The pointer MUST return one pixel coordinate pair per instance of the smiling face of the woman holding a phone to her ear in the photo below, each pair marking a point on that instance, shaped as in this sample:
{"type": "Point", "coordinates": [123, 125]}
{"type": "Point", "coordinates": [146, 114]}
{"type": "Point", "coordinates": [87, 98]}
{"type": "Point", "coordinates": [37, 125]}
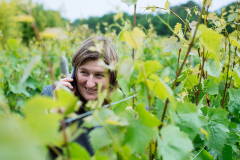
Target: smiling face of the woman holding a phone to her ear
{"type": "Point", "coordinates": [89, 75]}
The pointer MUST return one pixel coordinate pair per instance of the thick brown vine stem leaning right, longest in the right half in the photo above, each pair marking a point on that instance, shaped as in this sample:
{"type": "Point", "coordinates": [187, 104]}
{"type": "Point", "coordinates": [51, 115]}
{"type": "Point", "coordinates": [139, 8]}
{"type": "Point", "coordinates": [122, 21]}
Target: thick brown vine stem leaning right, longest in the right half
{"type": "Point", "coordinates": [185, 58]}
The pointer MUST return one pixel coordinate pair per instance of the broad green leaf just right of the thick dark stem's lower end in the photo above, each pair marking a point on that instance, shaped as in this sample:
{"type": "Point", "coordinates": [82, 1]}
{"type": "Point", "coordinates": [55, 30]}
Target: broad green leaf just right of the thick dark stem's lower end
{"type": "Point", "coordinates": [188, 118]}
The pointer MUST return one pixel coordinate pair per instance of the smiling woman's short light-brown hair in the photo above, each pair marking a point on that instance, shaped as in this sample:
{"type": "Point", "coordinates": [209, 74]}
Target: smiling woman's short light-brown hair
{"type": "Point", "coordinates": [83, 53]}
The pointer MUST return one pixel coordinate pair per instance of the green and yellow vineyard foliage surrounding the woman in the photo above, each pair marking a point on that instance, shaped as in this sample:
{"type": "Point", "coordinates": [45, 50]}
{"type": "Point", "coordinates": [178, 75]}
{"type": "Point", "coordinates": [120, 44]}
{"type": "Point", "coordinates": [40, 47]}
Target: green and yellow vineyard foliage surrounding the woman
{"type": "Point", "coordinates": [186, 88]}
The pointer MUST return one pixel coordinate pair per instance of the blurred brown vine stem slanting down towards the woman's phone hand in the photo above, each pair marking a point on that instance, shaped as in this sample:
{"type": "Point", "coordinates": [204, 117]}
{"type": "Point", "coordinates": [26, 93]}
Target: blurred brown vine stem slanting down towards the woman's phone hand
{"type": "Point", "coordinates": [36, 31]}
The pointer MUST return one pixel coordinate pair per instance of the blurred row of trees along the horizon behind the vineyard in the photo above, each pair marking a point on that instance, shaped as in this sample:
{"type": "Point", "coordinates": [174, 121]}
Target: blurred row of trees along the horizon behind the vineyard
{"type": "Point", "coordinates": [11, 28]}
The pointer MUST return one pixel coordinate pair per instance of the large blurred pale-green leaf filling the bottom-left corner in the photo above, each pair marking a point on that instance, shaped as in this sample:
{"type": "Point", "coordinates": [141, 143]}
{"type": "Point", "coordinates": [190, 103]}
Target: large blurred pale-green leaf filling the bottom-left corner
{"type": "Point", "coordinates": [17, 142]}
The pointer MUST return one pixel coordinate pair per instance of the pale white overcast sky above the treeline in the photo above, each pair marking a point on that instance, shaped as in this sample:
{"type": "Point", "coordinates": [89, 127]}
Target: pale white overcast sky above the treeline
{"type": "Point", "coordinates": [74, 9]}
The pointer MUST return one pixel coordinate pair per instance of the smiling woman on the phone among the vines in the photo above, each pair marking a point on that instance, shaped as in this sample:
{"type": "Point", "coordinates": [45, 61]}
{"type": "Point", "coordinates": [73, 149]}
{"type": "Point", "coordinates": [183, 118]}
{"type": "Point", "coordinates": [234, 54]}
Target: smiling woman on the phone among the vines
{"type": "Point", "coordinates": [88, 75]}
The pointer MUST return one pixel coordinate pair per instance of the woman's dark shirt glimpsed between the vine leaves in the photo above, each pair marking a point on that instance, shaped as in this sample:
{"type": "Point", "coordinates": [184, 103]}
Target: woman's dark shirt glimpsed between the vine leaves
{"type": "Point", "coordinates": [83, 139]}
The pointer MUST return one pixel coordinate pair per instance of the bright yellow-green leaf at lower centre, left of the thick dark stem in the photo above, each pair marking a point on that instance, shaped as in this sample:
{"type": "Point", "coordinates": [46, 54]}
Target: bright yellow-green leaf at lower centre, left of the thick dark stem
{"type": "Point", "coordinates": [147, 118]}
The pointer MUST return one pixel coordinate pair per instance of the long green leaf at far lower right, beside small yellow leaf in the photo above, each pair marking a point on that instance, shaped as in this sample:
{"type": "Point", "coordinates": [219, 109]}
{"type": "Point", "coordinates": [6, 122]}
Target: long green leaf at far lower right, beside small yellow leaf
{"type": "Point", "coordinates": [218, 128]}
